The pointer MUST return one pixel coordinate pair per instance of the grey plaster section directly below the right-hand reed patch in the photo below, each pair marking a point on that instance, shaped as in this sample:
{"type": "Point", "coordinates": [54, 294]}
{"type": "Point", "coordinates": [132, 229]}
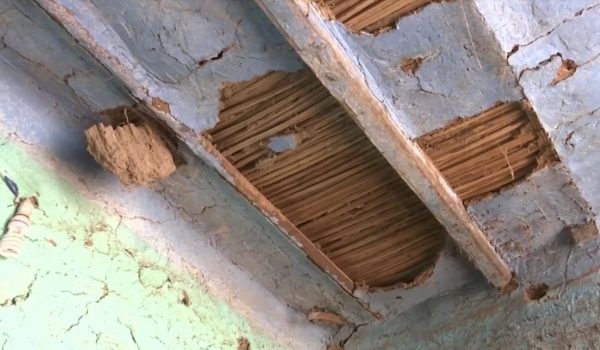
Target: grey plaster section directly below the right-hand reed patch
{"type": "Point", "coordinates": [529, 226]}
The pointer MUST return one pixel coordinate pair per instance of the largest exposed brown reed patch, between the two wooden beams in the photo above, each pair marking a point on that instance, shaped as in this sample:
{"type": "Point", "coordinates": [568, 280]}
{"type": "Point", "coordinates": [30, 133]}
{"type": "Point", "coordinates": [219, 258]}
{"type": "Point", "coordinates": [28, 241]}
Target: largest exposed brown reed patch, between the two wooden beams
{"type": "Point", "coordinates": [333, 184]}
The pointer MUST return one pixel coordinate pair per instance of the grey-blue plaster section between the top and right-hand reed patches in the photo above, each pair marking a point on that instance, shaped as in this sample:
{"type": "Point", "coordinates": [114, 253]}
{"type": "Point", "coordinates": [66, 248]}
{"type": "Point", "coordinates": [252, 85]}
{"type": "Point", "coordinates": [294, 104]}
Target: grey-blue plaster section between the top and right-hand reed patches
{"type": "Point", "coordinates": [457, 77]}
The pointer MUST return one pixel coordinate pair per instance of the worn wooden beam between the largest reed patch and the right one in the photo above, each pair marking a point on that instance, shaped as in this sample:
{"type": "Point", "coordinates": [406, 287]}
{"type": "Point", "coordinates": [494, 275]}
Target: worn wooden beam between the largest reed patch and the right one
{"type": "Point", "coordinates": [326, 53]}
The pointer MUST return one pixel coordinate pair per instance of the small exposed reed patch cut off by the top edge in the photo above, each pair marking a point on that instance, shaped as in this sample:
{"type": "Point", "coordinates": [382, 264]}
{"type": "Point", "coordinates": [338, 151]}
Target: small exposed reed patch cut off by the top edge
{"type": "Point", "coordinates": [371, 16]}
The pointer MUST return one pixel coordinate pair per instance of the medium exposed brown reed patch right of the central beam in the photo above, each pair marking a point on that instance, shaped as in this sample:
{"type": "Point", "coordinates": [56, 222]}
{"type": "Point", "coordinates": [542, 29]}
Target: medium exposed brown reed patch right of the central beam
{"type": "Point", "coordinates": [482, 154]}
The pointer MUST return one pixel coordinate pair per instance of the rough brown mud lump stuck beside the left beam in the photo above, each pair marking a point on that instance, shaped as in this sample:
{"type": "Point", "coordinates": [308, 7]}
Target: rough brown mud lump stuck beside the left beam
{"type": "Point", "coordinates": [135, 153]}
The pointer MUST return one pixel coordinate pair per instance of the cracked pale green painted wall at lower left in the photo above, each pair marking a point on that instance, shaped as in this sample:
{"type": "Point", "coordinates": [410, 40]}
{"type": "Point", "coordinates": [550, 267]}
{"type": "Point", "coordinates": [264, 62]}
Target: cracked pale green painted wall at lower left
{"type": "Point", "coordinates": [84, 281]}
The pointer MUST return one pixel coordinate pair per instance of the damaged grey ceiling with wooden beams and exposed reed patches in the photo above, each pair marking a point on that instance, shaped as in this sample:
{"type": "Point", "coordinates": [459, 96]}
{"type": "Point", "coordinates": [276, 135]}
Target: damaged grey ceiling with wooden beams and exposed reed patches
{"type": "Point", "coordinates": [379, 149]}
